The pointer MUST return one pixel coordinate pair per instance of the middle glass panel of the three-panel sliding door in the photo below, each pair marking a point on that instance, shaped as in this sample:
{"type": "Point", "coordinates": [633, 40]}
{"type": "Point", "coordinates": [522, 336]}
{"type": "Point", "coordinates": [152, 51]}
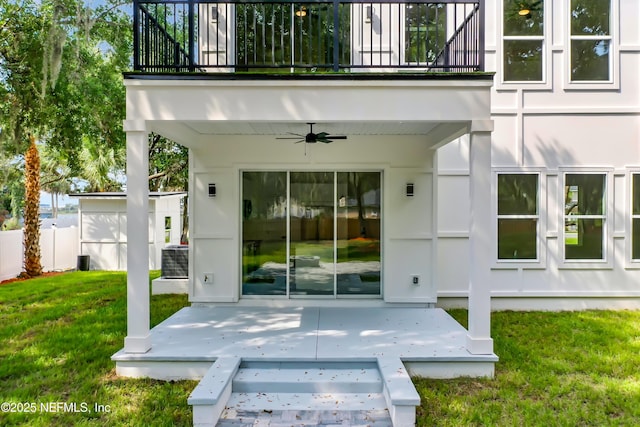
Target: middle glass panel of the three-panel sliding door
{"type": "Point", "coordinates": [312, 245]}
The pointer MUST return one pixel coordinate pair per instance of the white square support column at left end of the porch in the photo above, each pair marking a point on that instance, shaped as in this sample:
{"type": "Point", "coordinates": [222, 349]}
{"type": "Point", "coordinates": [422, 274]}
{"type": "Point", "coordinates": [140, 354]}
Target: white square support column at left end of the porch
{"type": "Point", "coordinates": [138, 339]}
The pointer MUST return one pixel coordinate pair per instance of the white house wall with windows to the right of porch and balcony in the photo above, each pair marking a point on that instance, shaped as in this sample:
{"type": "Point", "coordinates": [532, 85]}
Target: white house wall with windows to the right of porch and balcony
{"type": "Point", "coordinates": [564, 160]}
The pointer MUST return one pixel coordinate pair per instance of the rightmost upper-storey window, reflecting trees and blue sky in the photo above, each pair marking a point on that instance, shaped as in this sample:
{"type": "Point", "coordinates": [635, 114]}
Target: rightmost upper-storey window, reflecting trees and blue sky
{"type": "Point", "coordinates": [590, 40]}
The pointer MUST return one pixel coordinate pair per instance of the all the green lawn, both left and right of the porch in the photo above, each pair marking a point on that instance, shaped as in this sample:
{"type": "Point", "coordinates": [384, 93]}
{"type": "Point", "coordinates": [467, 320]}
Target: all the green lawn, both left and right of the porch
{"type": "Point", "coordinates": [555, 369]}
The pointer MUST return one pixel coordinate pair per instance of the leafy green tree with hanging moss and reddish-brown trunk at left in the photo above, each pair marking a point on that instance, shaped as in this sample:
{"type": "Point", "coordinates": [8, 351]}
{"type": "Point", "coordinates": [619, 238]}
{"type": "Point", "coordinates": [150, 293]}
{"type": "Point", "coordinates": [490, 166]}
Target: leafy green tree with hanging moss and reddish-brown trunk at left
{"type": "Point", "coordinates": [60, 81]}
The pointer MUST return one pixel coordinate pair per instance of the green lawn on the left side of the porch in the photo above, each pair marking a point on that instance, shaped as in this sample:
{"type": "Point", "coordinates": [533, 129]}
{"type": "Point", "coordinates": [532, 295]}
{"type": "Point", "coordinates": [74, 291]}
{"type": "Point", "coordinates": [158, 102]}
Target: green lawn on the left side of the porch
{"type": "Point", "coordinates": [58, 334]}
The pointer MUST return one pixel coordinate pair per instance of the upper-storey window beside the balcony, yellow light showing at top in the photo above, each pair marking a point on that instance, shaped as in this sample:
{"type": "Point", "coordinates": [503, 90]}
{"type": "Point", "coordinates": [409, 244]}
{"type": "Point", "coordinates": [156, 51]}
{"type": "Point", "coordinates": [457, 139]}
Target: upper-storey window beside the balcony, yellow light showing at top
{"type": "Point", "coordinates": [523, 41]}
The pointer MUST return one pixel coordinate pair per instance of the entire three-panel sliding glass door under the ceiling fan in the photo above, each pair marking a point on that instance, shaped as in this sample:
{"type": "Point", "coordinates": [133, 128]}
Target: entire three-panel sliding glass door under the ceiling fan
{"type": "Point", "coordinates": [311, 234]}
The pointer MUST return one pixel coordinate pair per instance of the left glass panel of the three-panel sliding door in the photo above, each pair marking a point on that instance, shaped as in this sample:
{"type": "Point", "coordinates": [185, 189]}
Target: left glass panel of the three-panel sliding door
{"type": "Point", "coordinates": [264, 233]}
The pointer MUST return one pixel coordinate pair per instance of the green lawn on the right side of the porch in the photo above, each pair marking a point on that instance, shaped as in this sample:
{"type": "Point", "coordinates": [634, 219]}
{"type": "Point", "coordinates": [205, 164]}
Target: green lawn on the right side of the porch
{"type": "Point", "coordinates": [555, 369]}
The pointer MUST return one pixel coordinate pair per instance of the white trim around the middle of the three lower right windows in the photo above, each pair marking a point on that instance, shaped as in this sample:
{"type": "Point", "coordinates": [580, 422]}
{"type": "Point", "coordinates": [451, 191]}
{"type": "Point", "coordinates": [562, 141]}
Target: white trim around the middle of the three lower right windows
{"type": "Point", "coordinates": [608, 215]}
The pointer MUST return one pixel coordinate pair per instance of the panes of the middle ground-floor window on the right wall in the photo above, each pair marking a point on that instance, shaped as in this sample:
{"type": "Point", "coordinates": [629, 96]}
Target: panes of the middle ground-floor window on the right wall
{"type": "Point", "coordinates": [584, 216]}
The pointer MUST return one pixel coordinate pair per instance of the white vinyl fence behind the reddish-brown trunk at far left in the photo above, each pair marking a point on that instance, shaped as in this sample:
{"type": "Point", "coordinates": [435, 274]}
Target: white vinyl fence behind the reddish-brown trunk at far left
{"type": "Point", "coordinates": [58, 246]}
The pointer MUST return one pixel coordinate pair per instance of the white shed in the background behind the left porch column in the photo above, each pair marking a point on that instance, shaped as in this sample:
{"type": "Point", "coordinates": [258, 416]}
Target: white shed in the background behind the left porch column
{"type": "Point", "coordinates": [102, 221]}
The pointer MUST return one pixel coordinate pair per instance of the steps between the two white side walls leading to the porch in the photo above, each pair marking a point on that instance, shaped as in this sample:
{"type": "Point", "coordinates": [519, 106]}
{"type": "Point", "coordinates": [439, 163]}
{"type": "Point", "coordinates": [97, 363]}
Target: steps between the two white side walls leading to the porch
{"type": "Point", "coordinates": [306, 394]}
